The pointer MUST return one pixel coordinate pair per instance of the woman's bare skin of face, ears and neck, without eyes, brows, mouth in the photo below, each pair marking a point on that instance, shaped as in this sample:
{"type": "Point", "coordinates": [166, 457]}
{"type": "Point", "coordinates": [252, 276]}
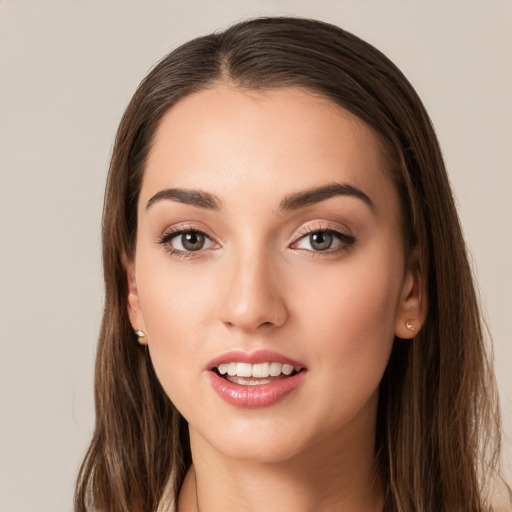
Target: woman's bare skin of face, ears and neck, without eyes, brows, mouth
{"type": "Point", "coordinates": [258, 283]}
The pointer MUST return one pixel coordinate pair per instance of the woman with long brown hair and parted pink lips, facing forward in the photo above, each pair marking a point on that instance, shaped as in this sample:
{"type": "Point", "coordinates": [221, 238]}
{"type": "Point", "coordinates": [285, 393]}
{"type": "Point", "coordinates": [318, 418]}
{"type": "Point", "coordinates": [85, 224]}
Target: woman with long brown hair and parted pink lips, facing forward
{"type": "Point", "coordinates": [290, 318]}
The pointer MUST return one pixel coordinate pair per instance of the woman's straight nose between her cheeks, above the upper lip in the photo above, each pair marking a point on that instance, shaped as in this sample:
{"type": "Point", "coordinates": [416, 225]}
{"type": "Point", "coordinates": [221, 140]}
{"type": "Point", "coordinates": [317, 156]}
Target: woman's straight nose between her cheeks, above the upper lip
{"type": "Point", "coordinates": [253, 294]}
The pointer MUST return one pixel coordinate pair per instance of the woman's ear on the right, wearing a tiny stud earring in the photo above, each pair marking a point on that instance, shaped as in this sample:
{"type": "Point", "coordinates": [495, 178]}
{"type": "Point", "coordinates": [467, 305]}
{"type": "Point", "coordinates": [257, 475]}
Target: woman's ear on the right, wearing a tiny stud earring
{"type": "Point", "coordinates": [412, 308]}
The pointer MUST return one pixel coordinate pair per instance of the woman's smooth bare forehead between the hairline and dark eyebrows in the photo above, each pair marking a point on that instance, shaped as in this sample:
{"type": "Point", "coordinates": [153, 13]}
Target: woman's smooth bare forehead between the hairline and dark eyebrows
{"type": "Point", "coordinates": [231, 141]}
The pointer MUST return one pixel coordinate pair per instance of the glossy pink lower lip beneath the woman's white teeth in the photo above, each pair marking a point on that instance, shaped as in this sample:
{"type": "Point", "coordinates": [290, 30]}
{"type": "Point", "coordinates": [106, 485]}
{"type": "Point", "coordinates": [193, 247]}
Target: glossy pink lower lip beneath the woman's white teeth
{"type": "Point", "coordinates": [252, 397]}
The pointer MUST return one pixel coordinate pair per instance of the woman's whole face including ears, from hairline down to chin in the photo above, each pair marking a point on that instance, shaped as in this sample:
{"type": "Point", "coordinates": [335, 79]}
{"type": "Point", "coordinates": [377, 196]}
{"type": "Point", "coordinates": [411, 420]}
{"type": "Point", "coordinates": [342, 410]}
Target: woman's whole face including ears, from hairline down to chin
{"type": "Point", "coordinates": [269, 274]}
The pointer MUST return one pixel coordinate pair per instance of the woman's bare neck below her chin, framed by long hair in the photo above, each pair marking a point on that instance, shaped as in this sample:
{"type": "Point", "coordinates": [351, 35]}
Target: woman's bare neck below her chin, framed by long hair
{"type": "Point", "coordinates": [314, 480]}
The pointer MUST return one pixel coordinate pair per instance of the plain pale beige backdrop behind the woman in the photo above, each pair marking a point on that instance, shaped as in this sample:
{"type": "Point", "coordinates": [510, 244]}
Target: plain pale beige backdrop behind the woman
{"type": "Point", "coordinates": [68, 69]}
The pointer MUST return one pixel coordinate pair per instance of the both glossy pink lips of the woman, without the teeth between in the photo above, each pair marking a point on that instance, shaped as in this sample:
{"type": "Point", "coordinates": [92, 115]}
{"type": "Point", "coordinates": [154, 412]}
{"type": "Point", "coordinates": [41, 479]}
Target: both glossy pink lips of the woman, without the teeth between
{"type": "Point", "coordinates": [262, 395]}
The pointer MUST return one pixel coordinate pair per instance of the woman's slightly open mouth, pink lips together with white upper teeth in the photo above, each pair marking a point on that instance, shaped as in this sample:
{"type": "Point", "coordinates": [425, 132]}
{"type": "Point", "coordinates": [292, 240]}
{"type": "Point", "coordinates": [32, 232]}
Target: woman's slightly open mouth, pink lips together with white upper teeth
{"type": "Point", "coordinates": [258, 379]}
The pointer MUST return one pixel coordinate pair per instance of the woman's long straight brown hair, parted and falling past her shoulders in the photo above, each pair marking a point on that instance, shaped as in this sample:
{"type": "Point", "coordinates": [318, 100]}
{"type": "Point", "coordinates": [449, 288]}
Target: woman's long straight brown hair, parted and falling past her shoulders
{"type": "Point", "coordinates": [438, 422]}
